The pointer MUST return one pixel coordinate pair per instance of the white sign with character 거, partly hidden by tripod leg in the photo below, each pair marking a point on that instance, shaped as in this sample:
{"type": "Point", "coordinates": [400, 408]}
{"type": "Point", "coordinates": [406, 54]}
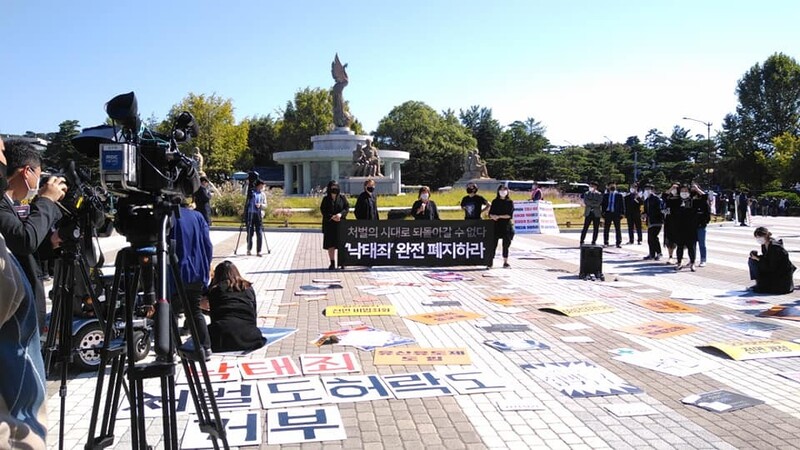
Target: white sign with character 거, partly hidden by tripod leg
{"type": "Point", "coordinates": [242, 428]}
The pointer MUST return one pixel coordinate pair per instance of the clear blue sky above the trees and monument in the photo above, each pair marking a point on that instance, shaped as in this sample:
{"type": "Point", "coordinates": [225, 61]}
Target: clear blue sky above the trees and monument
{"type": "Point", "coordinates": [585, 69]}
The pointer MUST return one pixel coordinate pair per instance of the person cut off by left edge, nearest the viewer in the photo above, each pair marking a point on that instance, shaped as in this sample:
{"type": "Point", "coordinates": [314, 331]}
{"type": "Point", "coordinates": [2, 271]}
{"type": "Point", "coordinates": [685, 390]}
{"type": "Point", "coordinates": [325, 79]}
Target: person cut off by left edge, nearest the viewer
{"type": "Point", "coordinates": [23, 416]}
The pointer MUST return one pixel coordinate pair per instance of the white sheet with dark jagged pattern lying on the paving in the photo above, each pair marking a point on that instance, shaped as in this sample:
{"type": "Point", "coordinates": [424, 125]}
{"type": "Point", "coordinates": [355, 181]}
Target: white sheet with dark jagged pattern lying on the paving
{"type": "Point", "coordinates": [581, 379]}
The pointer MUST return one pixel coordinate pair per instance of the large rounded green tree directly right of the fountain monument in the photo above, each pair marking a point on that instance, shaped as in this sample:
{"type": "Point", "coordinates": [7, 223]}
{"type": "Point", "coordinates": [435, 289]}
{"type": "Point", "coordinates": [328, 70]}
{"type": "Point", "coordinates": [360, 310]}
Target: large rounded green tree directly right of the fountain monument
{"type": "Point", "coordinates": [437, 143]}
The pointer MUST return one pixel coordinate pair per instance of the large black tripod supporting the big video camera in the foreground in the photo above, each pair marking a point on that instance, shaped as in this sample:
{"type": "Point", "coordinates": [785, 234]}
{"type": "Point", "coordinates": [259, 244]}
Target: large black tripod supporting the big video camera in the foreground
{"type": "Point", "coordinates": [143, 265]}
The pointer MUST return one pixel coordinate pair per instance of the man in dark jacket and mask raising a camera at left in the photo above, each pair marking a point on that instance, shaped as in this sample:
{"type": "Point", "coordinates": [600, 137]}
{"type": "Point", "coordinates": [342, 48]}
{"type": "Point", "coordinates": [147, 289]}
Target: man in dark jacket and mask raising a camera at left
{"type": "Point", "coordinates": [24, 235]}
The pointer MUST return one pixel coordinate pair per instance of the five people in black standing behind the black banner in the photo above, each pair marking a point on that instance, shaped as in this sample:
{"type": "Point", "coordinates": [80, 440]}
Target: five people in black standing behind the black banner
{"type": "Point", "coordinates": [335, 207]}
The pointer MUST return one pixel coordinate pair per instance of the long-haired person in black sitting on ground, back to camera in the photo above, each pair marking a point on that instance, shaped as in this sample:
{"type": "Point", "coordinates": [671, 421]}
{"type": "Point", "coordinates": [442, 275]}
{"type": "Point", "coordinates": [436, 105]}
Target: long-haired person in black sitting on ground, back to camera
{"type": "Point", "coordinates": [232, 307]}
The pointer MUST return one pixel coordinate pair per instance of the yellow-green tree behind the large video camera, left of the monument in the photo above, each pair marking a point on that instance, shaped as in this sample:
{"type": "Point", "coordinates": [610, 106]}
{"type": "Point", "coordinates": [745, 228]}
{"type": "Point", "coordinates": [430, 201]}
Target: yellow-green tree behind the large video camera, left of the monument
{"type": "Point", "coordinates": [222, 142]}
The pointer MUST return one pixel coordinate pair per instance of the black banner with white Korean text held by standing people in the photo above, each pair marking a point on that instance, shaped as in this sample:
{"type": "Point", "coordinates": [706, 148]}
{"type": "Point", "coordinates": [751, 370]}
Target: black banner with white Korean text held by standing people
{"type": "Point", "coordinates": [425, 243]}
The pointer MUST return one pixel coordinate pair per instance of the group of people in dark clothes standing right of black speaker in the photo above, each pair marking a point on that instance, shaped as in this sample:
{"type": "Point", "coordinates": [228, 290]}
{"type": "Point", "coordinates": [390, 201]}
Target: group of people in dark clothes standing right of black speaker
{"type": "Point", "coordinates": [682, 211]}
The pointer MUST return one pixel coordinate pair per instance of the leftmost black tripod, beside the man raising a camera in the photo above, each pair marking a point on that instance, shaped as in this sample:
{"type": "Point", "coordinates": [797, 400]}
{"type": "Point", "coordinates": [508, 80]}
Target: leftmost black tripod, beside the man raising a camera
{"type": "Point", "coordinates": [59, 337]}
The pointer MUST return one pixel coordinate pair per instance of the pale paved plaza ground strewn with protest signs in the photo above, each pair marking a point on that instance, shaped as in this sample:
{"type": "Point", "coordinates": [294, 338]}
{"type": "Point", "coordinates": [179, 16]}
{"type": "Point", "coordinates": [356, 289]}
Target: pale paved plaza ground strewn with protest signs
{"type": "Point", "coordinates": [543, 269]}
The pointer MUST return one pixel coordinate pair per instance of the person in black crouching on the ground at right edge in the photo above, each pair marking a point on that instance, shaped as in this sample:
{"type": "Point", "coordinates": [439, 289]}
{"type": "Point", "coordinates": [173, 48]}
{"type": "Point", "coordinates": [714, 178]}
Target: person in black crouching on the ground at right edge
{"type": "Point", "coordinates": [772, 269]}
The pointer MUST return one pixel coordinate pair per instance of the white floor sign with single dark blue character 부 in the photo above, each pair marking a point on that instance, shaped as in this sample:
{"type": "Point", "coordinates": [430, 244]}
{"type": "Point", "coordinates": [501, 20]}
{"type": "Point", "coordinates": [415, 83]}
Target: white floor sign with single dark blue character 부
{"type": "Point", "coordinates": [297, 425]}
